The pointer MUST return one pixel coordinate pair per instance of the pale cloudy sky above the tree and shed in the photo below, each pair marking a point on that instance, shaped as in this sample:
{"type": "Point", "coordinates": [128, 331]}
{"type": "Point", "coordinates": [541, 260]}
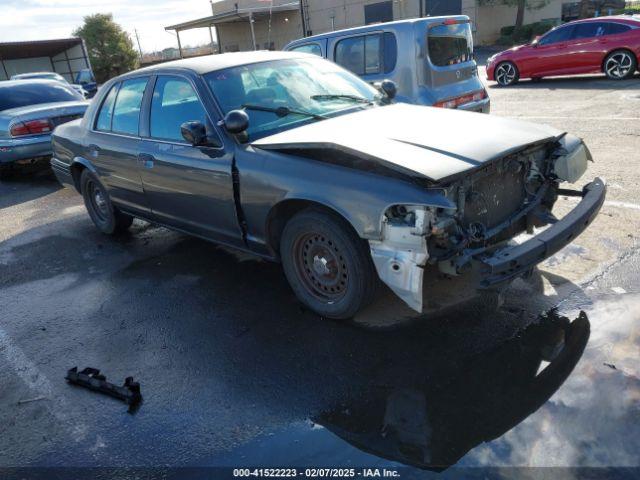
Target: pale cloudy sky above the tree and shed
{"type": "Point", "coordinates": [48, 19]}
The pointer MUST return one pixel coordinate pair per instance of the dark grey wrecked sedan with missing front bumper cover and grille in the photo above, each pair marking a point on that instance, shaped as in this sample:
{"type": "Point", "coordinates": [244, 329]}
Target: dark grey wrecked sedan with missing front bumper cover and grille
{"type": "Point", "coordinates": [295, 159]}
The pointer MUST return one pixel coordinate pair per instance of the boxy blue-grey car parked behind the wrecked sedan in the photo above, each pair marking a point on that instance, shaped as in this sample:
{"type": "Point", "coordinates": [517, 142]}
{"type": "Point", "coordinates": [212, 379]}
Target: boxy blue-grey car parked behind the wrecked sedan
{"type": "Point", "coordinates": [430, 59]}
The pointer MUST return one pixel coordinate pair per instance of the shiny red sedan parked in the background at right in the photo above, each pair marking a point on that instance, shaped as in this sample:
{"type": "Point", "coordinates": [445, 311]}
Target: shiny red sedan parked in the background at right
{"type": "Point", "coordinates": [606, 44]}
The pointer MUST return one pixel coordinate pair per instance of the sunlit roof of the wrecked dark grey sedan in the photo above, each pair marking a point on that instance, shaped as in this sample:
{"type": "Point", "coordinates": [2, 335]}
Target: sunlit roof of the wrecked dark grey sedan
{"type": "Point", "coordinates": [210, 63]}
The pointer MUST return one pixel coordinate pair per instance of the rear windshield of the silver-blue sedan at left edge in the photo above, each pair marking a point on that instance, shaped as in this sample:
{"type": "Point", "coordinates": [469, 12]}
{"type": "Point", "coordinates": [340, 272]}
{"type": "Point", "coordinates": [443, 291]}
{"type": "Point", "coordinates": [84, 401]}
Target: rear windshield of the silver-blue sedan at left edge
{"type": "Point", "coordinates": [24, 94]}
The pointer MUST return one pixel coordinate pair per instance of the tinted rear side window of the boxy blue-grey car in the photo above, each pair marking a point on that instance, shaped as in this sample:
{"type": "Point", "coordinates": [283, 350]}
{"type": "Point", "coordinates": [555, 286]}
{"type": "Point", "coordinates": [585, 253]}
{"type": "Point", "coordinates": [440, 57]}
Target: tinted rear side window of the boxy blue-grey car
{"type": "Point", "coordinates": [361, 55]}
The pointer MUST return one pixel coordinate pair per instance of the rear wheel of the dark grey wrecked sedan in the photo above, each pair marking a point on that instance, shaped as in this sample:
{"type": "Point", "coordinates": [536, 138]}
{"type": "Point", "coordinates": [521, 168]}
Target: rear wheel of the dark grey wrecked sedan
{"type": "Point", "coordinates": [102, 212]}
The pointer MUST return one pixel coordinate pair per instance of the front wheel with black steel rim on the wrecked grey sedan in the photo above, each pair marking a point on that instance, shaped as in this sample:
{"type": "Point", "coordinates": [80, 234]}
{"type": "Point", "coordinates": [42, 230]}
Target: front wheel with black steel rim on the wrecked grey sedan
{"type": "Point", "coordinates": [327, 265]}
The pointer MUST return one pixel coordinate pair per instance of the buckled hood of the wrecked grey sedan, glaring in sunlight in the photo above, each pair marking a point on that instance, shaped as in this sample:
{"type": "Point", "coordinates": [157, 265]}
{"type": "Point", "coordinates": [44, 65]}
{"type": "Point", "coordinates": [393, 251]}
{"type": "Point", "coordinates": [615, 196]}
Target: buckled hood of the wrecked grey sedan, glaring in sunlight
{"type": "Point", "coordinates": [433, 143]}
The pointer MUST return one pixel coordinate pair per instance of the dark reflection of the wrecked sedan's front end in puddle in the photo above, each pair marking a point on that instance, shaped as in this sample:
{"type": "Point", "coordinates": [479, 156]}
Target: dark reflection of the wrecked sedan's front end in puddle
{"type": "Point", "coordinates": [436, 421]}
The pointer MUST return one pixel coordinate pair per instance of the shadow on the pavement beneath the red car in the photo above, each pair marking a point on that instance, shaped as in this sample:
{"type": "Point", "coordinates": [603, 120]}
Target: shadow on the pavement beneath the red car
{"type": "Point", "coordinates": [577, 82]}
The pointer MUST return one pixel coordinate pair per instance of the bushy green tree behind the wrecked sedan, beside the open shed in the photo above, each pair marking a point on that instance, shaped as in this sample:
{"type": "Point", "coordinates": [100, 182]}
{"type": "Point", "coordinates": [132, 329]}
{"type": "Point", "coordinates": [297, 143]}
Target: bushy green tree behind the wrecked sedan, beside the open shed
{"type": "Point", "coordinates": [110, 49]}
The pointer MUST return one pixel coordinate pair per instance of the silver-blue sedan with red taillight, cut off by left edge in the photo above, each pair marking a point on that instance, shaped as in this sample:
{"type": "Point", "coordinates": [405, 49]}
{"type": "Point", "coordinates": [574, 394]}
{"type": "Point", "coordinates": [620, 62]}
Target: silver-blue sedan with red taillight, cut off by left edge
{"type": "Point", "coordinates": [29, 112]}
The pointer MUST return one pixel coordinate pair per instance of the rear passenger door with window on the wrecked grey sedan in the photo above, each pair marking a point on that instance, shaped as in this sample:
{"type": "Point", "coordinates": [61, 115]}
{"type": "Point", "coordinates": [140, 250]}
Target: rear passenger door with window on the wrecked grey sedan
{"type": "Point", "coordinates": [114, 142]}
